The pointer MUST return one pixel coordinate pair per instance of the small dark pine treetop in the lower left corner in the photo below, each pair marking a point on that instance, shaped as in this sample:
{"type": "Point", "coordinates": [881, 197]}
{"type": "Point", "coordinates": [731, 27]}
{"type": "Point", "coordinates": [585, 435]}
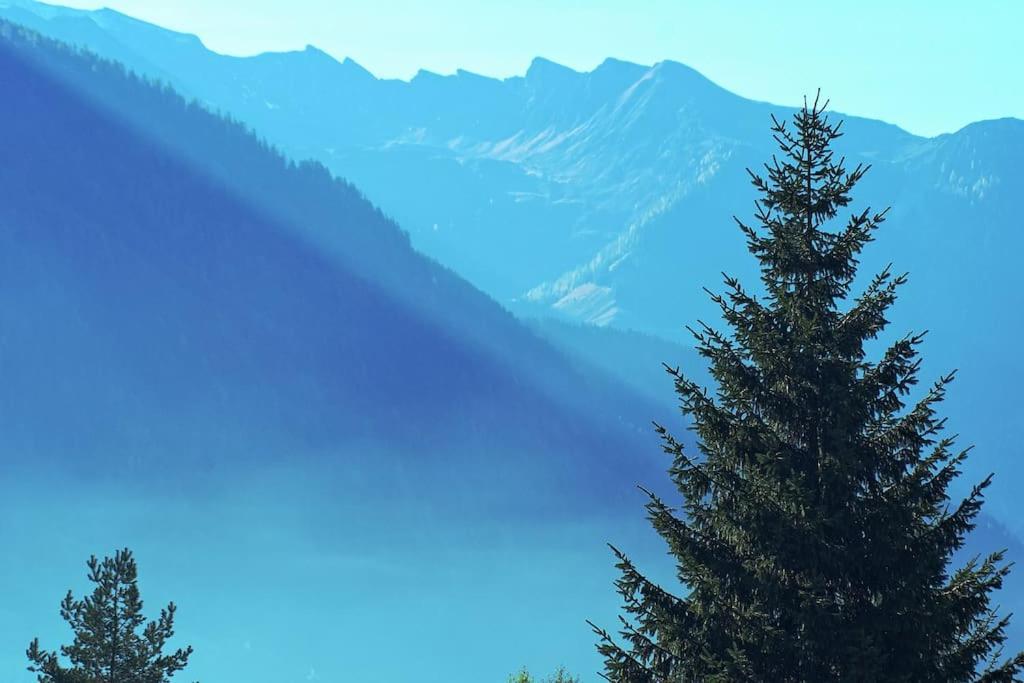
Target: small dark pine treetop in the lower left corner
{"type": "Point", "coordinates": [113, 644]}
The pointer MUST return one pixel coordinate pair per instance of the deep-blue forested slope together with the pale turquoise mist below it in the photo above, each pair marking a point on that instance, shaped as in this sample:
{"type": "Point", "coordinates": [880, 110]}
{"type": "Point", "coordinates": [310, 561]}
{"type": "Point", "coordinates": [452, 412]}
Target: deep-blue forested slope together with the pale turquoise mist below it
{"type": "Point", "coordinates": [237, 366]}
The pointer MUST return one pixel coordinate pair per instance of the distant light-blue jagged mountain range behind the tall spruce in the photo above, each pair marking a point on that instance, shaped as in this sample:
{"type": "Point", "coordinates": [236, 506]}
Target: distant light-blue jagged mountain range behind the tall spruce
{"type": "Point", "coordinates": [607, 197]}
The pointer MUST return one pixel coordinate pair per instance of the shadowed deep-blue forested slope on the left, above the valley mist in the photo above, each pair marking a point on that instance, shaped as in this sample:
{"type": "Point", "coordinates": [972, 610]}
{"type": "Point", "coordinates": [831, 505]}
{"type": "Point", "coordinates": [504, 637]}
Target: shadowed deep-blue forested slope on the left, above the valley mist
{"type": "Point", "coordinates": [156, 252]}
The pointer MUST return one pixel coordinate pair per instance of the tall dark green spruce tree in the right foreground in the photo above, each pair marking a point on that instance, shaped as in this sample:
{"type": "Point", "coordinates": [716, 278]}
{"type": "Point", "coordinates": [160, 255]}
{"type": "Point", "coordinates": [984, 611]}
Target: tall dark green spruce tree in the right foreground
{"type": "Point", "coordinates": [816, 532]}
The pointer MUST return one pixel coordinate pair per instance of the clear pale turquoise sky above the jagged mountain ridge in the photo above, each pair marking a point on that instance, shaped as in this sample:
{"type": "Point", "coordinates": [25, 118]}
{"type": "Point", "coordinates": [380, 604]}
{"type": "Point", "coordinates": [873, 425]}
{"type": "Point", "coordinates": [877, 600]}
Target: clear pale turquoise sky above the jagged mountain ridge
{"type": "Point", "coordinates": [930, 66]}
